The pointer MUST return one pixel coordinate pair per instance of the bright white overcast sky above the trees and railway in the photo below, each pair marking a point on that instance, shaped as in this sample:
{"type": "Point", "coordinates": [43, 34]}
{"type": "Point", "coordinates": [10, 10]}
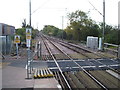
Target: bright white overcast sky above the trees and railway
{"type": "Point", "coordinates": [50, 12]}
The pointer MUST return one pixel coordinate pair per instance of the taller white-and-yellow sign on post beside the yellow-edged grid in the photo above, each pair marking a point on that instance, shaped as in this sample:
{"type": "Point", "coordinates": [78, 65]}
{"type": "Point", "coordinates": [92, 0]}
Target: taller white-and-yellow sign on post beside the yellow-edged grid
{"type": "Point", "coordinates": [28, 44]}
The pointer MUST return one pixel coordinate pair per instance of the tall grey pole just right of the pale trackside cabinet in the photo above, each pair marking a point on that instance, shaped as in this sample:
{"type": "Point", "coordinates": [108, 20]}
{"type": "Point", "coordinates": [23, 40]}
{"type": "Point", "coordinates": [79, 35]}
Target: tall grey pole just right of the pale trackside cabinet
{"type": "Point", "coordinates": [103, 38]}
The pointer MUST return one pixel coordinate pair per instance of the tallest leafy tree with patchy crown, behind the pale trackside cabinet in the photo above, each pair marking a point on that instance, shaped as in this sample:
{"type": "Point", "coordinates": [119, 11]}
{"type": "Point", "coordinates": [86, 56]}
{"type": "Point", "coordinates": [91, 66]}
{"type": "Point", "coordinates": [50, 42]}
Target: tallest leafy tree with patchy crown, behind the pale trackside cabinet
{"type": "Point", "coordinates": [82, 26]}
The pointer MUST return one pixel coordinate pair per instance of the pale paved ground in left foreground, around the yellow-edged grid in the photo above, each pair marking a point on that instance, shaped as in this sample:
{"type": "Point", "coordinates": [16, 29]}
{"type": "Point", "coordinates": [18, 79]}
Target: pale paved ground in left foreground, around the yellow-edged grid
{"type": "Point", "coordinates": [14, 77]}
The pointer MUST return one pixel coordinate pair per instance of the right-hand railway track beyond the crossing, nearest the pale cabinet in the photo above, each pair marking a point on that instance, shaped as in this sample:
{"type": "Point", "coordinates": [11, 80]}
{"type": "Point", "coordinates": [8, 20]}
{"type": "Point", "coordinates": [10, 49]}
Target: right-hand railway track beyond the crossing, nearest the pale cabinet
{"type": "Point", "coordinates": [85, 52]}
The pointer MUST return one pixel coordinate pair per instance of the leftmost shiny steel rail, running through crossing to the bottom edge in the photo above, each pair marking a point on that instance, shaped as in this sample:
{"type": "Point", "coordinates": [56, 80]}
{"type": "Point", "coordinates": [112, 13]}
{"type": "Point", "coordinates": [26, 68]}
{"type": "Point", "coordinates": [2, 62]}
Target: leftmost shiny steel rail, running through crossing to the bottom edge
{"type": "Point", "coordinates": [48, 48]}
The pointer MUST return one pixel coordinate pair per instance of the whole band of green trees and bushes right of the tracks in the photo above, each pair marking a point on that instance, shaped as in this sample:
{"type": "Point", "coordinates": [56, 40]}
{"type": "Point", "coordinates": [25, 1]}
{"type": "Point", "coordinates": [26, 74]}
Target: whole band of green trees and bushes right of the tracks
{"type": "Point", "coordinates": [82, 26]}
